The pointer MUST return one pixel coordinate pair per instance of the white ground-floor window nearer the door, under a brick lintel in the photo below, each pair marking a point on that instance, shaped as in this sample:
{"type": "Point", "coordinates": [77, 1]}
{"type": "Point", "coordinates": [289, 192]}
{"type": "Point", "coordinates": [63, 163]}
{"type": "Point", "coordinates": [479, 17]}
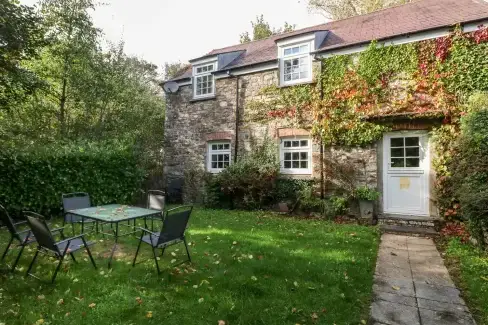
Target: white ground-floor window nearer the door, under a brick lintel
{"type": "Point", "coordinates": [296, 155]}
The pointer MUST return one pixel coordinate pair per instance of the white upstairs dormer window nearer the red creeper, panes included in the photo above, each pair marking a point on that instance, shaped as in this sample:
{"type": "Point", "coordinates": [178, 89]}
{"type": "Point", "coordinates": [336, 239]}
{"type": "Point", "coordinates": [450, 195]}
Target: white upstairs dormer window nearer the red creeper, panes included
{"type": "Point", "coordinates": [296, 64]}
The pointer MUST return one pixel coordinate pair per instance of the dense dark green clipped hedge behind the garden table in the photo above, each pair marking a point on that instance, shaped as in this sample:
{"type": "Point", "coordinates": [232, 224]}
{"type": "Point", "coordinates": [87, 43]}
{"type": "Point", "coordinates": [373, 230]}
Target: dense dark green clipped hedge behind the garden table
{"type": "Point", "coordinates": [34, 179]}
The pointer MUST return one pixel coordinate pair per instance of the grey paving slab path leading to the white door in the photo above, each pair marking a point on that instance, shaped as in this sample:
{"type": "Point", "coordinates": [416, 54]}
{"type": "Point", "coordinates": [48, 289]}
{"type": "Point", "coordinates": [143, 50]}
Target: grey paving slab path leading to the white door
{"type": "Point", "coordinates": [412, 285]}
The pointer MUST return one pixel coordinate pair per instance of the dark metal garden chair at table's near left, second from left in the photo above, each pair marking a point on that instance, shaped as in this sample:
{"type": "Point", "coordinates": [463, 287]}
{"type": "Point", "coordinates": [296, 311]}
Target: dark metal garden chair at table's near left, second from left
{"type": "Point", "coordinates": [47, 244]}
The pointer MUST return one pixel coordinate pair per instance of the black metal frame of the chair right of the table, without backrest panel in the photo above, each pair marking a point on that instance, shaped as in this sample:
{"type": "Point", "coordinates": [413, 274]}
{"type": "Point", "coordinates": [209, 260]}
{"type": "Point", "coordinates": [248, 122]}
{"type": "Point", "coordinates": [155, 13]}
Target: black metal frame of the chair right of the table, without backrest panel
{"type": "Point", "coordinates": [160, 244]}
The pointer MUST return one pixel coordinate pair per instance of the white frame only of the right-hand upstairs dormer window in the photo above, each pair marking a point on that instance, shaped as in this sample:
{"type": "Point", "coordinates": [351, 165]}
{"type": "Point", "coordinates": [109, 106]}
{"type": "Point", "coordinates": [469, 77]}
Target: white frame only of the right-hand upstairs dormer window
{"type": "Point", "coordinates": [301, 55]}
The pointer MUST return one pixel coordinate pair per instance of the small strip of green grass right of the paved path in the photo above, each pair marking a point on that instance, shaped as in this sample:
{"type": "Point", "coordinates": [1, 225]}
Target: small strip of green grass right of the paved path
{"type": "Point", "coordinates": [469, 266]}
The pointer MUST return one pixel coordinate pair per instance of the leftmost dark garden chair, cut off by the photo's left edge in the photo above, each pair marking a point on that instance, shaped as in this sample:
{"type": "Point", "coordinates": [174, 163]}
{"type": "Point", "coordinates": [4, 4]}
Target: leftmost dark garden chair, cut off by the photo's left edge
{"type": "Point", "coordinates": [23, 237]}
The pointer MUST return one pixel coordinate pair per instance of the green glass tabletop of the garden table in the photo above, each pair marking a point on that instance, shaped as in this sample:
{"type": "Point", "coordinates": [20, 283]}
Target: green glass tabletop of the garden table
{"type": "Point", "coordinates": [114, 212]}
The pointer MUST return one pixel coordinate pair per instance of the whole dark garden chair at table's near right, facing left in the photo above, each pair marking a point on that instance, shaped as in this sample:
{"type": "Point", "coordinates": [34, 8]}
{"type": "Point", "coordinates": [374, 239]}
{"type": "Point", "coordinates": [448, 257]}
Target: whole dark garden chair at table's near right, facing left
{"type": "Point", "coordinates": [172, 232]}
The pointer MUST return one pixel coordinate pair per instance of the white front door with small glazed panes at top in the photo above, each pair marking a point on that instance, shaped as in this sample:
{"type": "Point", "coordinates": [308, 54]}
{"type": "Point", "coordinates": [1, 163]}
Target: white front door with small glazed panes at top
{"type": "Point", "coordinates": [406, 173]}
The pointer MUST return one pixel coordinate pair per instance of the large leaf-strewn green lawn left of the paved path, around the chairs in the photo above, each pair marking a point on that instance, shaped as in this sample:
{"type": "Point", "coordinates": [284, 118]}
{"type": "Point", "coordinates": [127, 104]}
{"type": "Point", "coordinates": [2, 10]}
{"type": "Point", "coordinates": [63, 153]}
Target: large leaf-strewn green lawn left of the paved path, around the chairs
{"type": "Point", "coordinates": [249, 268]}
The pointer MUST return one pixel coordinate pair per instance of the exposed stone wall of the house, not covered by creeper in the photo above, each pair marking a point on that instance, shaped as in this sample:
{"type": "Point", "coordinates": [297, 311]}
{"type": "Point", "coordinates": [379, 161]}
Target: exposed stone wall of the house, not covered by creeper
{"type": "Point", "coordinates": [191, 124]}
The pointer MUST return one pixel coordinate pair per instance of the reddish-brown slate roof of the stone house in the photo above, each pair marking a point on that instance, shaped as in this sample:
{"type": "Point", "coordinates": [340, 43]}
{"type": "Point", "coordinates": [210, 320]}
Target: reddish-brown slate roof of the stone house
{"type": "Point", "coordinates": [382, 24]}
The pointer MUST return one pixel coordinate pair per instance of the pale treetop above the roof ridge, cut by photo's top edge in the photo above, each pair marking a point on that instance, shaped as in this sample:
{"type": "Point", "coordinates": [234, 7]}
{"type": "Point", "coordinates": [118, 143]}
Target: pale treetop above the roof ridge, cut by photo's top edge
{"type": "Point", "coordinates": [341, 9]}
